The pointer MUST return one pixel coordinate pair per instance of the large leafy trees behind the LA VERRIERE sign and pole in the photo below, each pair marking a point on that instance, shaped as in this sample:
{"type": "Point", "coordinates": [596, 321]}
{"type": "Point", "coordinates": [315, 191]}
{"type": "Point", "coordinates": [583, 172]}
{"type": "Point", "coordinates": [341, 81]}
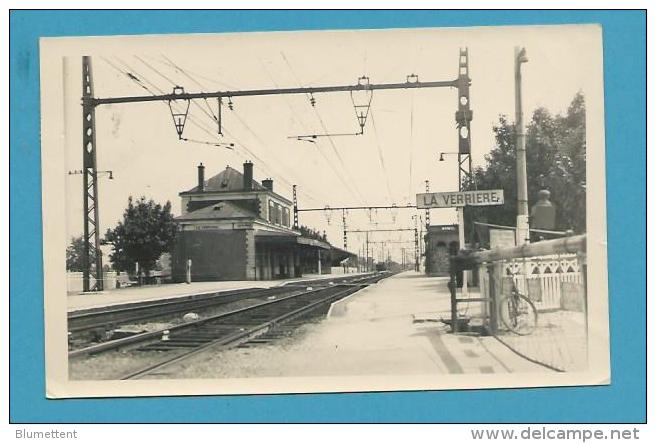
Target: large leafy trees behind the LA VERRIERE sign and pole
{"type": "Point", "coordinates": [555, 160]}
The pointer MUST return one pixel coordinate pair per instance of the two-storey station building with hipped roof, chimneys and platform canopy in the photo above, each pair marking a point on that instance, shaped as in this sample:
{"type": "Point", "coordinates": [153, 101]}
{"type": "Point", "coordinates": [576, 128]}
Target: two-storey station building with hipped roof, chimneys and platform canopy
{"type": "Point", "coordinates": [234, 228]}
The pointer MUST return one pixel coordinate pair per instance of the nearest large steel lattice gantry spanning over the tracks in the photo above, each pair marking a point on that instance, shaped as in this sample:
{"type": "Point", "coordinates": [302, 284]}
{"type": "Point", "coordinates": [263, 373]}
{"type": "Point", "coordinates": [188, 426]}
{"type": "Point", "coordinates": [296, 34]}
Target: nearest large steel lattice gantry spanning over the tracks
{"type": "Point", "coordinates": [178, 101]}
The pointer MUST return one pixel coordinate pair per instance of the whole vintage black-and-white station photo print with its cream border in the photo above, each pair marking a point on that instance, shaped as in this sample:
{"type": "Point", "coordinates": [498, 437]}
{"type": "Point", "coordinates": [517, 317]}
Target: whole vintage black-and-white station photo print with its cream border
{"type": "Point", "coordinates": [324, 211]}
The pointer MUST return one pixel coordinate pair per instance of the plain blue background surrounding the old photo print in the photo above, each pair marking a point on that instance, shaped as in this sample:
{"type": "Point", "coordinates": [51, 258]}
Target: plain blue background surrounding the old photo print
{"type": "Point", "coordinates": [625, 98]}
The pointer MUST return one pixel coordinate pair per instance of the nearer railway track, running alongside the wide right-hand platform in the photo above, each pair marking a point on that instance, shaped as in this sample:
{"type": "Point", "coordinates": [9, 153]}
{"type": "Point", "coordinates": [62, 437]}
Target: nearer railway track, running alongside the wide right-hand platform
{"type": "Point", "coordinates": [228, 329]}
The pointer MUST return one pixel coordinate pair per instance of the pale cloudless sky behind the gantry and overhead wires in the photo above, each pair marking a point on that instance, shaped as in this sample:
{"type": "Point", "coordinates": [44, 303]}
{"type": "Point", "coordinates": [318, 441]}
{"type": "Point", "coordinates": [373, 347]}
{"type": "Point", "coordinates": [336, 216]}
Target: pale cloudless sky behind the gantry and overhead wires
{"type": "Point", "coordinates": [403, 136]}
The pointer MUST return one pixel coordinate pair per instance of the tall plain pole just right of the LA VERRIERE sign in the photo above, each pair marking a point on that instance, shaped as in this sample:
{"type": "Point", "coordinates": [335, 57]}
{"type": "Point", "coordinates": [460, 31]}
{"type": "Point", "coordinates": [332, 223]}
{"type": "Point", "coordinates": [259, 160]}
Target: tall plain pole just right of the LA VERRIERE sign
{"type": "Point", "coordinates": [522, 192]}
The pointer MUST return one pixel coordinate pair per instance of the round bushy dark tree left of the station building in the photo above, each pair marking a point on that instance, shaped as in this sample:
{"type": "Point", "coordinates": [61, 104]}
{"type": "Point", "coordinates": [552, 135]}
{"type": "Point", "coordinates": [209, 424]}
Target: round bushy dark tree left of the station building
{"type": "Point", "coordinates": [146, 232]}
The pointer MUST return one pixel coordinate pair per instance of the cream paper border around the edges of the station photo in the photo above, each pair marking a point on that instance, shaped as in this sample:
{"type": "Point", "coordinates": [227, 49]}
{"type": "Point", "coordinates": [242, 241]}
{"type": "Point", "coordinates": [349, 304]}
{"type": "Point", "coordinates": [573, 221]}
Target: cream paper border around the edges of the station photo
{"type": "Point", "coordinates": [52, 50]}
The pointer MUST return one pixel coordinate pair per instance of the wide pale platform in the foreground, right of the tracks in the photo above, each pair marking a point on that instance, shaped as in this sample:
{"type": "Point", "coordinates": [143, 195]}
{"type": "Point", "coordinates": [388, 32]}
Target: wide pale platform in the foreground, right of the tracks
{"type": "Point", "coordinates": [390, 328]}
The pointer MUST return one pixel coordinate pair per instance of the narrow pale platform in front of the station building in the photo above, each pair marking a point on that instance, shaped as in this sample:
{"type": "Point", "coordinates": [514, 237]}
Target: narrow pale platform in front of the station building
{"type": "Point", "coordinates": [115, 297]}
